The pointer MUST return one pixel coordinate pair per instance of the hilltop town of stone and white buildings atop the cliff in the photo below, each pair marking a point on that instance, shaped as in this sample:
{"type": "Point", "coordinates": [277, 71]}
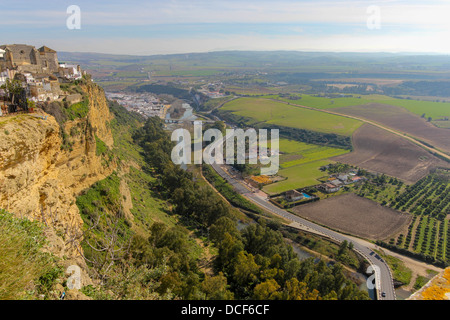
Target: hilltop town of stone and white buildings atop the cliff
{"type": "Point", "coordinates": [31, 77]}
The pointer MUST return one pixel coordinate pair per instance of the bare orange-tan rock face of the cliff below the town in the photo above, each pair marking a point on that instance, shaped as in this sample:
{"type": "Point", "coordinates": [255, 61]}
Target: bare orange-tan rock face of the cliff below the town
{"type": "Point", "coordinates": [41, 173]}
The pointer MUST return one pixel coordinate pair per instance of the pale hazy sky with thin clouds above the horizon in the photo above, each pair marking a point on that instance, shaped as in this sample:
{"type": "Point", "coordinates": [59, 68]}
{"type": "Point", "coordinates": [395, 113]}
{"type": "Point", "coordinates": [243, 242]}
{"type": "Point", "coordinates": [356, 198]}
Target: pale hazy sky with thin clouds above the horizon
{"type": "Point", "coordinates": [178, 26]}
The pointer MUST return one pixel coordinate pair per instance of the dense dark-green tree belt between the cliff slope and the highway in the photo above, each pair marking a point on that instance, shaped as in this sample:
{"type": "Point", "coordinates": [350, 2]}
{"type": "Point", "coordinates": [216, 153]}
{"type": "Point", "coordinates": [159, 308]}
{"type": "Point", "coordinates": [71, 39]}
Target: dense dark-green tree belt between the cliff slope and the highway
{"type": "Point", "coordinates": [253, 263]}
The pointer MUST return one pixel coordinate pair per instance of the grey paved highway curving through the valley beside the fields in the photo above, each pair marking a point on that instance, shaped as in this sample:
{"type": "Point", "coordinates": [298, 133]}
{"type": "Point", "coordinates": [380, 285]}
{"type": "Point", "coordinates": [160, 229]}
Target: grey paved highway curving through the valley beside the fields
{"type": "Point", "coordinates": [383, 277]}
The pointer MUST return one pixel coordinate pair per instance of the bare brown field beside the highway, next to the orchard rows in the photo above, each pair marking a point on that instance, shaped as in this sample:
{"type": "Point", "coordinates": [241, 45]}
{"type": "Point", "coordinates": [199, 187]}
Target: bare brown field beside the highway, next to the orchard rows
{"type": "Point", "coordinates": [356, 215]}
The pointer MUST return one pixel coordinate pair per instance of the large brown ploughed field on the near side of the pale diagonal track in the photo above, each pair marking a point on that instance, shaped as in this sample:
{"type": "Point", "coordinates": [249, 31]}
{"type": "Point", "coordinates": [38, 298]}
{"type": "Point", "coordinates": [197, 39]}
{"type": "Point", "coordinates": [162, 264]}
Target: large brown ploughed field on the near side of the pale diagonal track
{"type": "Point", "coordinates": [378, 150]}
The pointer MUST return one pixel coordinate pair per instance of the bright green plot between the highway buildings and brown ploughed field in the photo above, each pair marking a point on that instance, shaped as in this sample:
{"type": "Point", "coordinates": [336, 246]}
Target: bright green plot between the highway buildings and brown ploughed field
{"type": "Point", "coordinates": [300, 163]}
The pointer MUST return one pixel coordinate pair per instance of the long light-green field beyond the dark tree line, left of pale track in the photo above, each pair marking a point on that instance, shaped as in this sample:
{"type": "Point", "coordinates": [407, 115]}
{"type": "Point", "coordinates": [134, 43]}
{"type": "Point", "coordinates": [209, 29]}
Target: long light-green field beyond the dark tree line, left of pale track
{"type": "Point", "coordinates": [279, 113]}
